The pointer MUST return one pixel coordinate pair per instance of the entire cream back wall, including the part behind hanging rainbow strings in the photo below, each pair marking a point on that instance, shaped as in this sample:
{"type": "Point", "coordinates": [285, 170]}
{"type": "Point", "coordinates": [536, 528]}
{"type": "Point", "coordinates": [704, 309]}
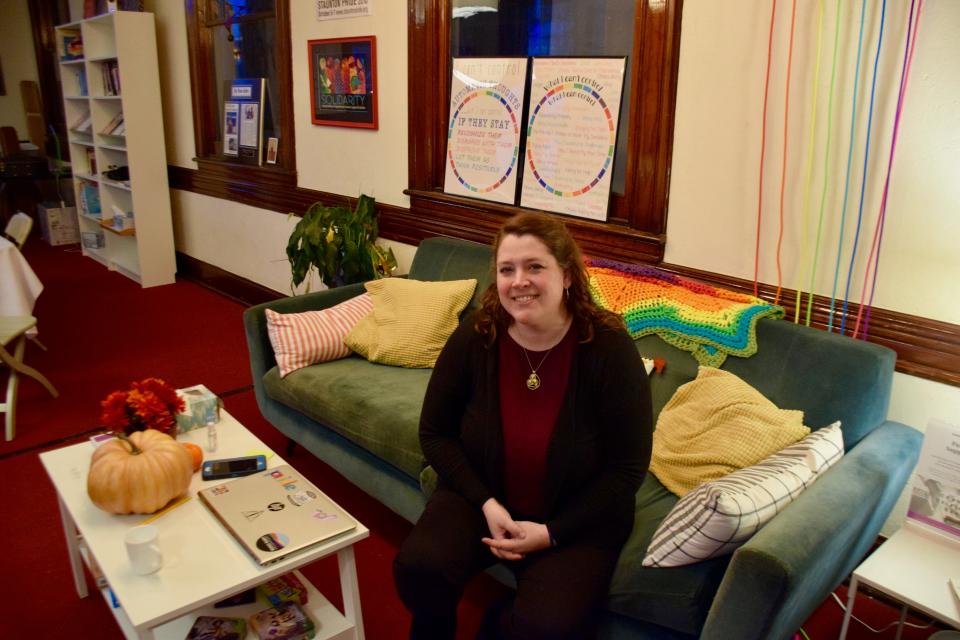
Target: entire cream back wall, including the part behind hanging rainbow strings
{"type": "Point", "coordinates": [713, 198]}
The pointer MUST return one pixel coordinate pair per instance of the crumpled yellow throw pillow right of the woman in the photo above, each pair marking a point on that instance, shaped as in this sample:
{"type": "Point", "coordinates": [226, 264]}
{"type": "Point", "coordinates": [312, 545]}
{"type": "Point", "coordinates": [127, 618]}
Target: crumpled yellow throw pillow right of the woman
{"type": "Point", "coordinates": [713, 426]}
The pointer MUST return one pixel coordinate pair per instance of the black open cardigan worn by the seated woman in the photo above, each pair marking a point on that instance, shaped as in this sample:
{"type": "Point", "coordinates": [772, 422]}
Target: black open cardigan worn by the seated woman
{"type": "Point", "coordinates": [598, 454]}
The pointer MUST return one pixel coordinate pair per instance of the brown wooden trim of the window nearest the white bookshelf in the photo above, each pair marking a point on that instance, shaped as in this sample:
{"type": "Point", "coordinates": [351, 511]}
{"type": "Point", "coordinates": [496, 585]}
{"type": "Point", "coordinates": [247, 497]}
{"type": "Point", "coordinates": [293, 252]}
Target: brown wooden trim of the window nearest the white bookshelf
{"type": "Point", "coordinates": [229, 179]}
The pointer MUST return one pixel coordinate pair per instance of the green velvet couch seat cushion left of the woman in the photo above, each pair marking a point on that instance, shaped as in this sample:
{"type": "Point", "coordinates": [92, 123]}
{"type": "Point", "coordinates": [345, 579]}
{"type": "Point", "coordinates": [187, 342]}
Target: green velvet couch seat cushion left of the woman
{"type": "Point", "coordinates": [375, 406]}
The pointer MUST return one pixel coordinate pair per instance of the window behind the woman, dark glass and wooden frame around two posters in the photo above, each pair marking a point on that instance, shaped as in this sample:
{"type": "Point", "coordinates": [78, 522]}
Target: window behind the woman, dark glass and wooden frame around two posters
{"type": "Point", "coordinates": [647, 31]}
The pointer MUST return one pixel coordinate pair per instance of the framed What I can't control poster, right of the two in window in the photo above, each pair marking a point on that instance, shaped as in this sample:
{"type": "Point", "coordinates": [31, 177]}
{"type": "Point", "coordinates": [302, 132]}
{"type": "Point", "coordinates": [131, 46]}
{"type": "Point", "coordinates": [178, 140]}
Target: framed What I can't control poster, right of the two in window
{"type": "Point", "coordinates": [572, 135]}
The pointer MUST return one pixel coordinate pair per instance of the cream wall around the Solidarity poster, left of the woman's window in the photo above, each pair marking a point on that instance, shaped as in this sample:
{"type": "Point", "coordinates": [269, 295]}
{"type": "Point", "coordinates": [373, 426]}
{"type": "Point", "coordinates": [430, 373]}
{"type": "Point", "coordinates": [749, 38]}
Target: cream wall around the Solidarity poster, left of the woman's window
{"type": "Point", "coordinates": [334, 159]}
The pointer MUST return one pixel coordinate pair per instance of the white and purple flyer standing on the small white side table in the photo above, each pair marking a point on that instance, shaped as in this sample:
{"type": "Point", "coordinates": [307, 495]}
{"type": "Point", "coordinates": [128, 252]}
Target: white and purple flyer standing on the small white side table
{"type": "Point", "coordinates": [935, 495]}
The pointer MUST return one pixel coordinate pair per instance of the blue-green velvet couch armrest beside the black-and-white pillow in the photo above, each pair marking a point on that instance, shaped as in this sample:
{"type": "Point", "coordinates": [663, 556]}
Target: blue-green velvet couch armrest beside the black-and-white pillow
{"type": "Point", "coordinates": [776, 580]}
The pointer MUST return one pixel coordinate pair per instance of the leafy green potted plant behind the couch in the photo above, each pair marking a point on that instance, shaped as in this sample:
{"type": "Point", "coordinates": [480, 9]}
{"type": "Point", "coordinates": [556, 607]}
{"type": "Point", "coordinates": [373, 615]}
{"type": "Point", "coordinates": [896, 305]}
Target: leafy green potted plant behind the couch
{"type": "Point", "coordinates": [340, 244]}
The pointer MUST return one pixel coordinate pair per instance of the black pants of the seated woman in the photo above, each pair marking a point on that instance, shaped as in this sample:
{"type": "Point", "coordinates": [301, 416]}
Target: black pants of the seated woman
{"type": "Point", "coordinates": [559, 590]}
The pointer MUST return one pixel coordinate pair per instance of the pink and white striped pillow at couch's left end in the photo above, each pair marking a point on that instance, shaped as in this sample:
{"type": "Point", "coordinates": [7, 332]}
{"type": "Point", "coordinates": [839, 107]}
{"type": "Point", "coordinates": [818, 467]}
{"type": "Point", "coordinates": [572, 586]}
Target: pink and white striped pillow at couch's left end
{"type": "Point", "coordinates": [301, 339]}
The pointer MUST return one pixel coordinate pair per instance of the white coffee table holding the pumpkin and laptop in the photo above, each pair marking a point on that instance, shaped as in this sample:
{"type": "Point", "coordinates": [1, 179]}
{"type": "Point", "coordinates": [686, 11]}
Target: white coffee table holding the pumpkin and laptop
{"type": "Point", "coordinates": [202, 562]}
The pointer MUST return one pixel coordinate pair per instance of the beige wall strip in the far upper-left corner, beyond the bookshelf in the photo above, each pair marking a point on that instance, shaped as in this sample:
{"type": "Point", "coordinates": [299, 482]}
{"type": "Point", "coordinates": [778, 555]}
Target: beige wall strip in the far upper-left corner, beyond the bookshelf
{"type": "Point", "coordinates": [16, 55]}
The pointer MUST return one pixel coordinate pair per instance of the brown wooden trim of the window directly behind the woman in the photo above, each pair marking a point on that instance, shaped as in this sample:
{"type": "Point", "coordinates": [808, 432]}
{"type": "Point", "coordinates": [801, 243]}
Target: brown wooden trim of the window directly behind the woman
{"type": "Point", "coordinates": [637, 222]}
